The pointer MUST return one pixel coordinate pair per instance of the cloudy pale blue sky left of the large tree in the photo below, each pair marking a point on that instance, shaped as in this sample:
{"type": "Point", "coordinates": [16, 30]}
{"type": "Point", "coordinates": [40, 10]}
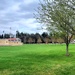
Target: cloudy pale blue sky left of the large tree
{"type": "Point", "coordinates": [18, 14]}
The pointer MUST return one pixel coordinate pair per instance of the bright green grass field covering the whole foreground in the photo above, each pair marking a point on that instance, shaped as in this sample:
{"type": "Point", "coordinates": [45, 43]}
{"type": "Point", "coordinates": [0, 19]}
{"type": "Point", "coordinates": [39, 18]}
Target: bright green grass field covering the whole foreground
{"type": "Point", "coordinates": [37, 59]}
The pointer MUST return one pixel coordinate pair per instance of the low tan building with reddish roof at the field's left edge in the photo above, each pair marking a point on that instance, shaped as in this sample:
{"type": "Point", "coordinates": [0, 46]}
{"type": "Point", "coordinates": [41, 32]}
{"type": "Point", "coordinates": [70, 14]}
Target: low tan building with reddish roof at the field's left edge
{"type": "Point", "coordinates": [10, 42]}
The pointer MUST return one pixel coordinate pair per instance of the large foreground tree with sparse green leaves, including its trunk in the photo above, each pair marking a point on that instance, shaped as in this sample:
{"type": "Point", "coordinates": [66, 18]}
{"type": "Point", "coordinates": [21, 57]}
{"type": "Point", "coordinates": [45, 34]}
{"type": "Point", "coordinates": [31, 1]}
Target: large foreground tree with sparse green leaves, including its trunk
{"type": "Point", "coordinates": [58, 16]}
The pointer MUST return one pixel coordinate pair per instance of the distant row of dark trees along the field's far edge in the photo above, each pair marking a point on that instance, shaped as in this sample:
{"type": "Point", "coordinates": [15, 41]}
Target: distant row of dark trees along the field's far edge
{"type": "Point", "coordinates": [36, 38]}
